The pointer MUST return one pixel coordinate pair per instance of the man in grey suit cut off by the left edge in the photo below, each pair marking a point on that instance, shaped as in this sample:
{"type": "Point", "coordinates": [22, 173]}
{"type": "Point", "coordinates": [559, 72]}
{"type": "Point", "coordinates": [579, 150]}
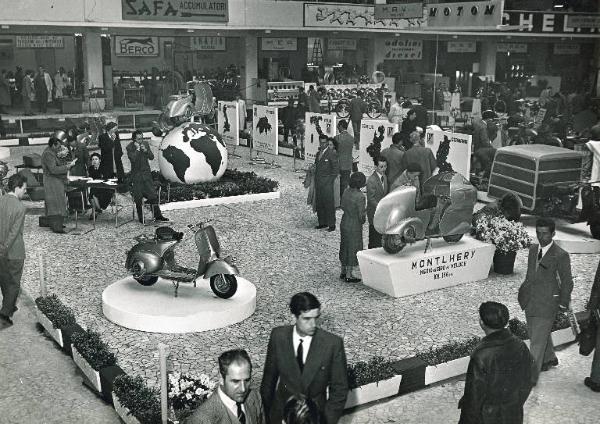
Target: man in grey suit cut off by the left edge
{"type": "Point", "coordinates": [12, 247]}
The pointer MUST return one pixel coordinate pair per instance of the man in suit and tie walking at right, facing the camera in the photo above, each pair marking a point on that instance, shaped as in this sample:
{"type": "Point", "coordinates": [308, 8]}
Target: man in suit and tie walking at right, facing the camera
{"type": "Point", "coordinates": [545, 291]}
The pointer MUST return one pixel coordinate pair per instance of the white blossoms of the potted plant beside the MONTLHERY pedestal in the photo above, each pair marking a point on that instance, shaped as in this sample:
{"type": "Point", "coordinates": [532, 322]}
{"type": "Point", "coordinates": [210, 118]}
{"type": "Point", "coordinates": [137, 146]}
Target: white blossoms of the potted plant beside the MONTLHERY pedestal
{"type": "Point", "coordinates": [507, 236]}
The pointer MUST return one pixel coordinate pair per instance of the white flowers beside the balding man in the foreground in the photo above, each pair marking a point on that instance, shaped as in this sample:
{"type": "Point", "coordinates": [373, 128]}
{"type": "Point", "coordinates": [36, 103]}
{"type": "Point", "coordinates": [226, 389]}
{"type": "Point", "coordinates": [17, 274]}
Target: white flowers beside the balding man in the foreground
{"type": "Point", "coordinates": [187, 392]}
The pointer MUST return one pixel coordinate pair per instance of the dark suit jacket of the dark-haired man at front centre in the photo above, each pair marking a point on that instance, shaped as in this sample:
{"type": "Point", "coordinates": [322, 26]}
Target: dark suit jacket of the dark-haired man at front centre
{"type": "Point", "coordinates": [324, 372]}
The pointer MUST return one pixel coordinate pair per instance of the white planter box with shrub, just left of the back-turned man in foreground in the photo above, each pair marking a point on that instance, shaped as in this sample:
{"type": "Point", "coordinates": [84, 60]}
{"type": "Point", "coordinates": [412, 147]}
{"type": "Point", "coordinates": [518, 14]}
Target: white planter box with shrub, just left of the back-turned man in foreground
{"type": "Point", "coordinates": [447, 361]}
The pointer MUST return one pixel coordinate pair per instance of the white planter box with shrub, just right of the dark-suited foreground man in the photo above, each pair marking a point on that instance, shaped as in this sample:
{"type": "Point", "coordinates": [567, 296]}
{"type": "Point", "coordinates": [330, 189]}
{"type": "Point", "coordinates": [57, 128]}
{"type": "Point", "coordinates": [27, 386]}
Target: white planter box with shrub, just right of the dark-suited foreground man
{"type": "Point", "coordinates": [370, 381]}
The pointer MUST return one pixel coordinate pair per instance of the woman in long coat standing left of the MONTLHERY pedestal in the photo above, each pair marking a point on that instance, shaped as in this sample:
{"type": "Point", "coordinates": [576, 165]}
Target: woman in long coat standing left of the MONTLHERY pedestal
{"type": "Point", "coordinates": [355, 212]}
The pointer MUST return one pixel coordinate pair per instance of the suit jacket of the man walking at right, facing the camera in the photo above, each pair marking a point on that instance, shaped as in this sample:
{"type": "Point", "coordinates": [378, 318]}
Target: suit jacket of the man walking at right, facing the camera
{"type": "Point", "coordinates": [548, 284]}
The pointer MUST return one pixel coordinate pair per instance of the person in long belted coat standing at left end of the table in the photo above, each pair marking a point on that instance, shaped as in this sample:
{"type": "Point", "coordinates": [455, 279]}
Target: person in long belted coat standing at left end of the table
{"type": "Point", "coordinates": [55, 177]}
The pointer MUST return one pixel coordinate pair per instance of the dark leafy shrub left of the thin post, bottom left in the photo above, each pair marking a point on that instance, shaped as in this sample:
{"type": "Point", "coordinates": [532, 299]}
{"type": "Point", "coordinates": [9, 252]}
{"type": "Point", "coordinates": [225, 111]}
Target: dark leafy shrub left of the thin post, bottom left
{"type": "Point", "coordinates": [135, 402]}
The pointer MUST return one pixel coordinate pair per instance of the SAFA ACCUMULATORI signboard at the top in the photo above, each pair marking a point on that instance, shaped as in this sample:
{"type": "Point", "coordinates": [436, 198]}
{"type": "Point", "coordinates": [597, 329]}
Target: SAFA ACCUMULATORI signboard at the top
{"type": "Point", "coordinates": [176, 10]}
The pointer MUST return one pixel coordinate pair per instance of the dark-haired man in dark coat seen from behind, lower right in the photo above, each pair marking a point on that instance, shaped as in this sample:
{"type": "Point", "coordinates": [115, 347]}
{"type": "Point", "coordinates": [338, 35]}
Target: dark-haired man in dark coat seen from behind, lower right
{"type": "Point", "coordinates": [499, 373]}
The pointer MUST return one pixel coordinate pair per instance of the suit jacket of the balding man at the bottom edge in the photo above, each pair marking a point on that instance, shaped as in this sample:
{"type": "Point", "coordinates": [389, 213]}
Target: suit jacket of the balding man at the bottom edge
{"type": "Point", "coordinates": [214, 411]}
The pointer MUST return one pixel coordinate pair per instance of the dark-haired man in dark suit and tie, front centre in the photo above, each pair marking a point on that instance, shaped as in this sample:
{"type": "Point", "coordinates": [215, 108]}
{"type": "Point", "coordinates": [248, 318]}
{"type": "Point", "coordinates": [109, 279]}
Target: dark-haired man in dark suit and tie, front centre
{"type": "Point", "coordinates": [303, 359]}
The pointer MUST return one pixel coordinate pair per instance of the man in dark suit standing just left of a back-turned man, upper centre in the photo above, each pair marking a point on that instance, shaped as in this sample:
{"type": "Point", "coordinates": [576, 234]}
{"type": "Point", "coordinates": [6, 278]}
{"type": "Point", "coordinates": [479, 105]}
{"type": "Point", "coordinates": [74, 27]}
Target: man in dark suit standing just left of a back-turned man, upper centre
{"type": "Point", "coordinates": [326, 171]}
